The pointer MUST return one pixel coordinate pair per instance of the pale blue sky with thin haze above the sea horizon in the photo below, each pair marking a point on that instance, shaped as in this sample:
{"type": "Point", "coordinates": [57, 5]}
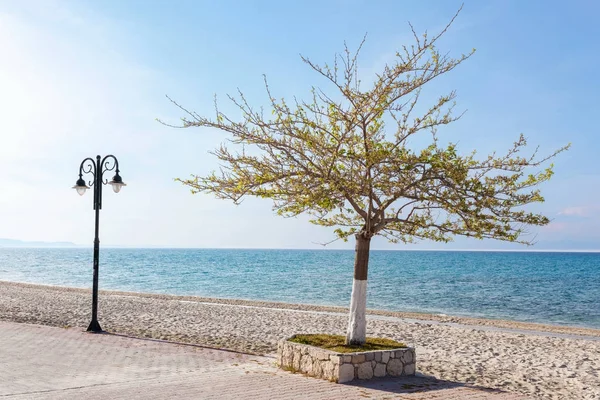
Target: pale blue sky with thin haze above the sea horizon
{"type": "Point", "coordinates": [80, 78]}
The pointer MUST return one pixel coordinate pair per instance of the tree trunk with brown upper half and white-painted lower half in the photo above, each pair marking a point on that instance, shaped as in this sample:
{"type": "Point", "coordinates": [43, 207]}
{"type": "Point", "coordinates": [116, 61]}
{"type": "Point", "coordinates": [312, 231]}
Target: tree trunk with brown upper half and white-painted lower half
{"type": "Point", "coordinates": [357, 324]}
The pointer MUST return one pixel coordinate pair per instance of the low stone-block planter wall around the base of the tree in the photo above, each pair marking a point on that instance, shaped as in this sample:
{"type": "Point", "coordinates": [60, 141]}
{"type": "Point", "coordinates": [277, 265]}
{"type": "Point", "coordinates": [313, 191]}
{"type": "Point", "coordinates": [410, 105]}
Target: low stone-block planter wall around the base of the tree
{"type": "Point", "coordinates": [345, 367]}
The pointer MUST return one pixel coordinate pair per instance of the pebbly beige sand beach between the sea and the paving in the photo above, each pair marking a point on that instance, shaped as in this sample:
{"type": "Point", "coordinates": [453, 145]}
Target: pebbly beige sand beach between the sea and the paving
{"type": "Point", "coordinates": [542, 361]}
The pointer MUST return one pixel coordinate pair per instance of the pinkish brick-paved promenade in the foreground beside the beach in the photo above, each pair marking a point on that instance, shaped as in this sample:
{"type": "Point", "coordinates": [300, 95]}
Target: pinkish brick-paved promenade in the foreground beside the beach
{"type": "Point", "coordinates": [40, 362]}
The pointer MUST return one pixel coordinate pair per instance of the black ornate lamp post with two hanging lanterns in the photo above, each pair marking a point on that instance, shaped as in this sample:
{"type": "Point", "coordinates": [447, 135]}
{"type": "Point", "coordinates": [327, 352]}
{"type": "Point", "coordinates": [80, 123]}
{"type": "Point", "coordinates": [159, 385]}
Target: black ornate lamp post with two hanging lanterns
{"type": "Point", "coordinates": [97, 169]}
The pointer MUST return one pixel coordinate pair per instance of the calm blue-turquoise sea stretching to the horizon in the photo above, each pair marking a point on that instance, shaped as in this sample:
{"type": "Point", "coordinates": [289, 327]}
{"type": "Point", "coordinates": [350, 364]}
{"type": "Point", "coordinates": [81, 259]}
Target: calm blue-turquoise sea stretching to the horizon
{"type": "Point", "coordinates": [557, 288]}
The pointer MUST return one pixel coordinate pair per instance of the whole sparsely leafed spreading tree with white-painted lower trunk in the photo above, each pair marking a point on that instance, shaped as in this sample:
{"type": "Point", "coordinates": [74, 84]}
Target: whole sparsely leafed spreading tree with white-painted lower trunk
{"type": "Point", "coordinates": [344, 158]}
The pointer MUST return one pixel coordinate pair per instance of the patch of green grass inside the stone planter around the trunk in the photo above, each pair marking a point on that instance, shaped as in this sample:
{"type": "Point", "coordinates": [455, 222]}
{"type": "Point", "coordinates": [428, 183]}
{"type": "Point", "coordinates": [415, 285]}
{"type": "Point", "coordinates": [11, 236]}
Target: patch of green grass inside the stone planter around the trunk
{"type": "Point", "coordinates": [338, 344]}
